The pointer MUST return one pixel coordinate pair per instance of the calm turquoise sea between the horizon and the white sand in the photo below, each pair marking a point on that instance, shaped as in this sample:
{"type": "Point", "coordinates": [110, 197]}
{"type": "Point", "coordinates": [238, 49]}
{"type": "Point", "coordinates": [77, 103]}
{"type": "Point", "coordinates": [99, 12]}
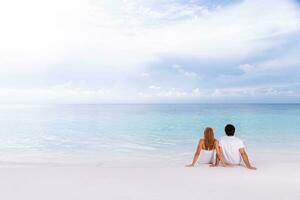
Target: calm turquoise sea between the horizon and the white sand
{"type": "Point", "coordinates": [113, 134]}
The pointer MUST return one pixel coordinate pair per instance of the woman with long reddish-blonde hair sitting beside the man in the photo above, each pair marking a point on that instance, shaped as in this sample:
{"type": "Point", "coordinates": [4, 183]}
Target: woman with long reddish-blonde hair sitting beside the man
{"type": "Point", "coordinates": [208, 146]}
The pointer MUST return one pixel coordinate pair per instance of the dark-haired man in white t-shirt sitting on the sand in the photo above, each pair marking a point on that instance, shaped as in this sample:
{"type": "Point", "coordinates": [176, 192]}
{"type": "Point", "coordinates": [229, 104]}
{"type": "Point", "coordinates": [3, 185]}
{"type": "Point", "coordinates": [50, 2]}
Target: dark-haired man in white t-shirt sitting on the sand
{"type": "Point", "coordinates": [233, 149]}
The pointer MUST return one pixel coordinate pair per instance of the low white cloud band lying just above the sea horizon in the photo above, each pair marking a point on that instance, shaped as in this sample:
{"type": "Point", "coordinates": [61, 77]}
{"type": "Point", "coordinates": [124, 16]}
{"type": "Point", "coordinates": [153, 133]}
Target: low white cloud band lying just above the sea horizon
{"type": "Point", "coordinates": [74, 94]}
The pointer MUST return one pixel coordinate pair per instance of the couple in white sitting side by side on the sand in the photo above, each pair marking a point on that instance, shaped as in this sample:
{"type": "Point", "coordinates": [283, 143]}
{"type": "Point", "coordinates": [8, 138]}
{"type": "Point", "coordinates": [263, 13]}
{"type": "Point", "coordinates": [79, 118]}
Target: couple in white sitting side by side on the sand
{"type": "Point", "coordinates": [228, 152]}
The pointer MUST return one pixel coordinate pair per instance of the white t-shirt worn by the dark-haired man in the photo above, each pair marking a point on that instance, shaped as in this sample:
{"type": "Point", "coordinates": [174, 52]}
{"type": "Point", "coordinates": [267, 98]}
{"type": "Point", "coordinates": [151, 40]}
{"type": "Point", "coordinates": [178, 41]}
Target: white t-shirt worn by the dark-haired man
{"type": "Point", "coordinates": [230, 146]}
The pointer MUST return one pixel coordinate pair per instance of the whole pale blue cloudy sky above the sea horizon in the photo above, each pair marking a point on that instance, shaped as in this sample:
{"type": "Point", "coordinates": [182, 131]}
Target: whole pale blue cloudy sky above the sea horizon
{"type": "Point", "coordinates": [155, 51]}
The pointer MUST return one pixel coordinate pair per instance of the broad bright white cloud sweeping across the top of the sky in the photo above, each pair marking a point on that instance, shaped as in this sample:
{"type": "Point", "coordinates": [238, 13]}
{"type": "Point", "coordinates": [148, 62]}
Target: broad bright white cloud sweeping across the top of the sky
{"type": "Point", "coordinates": [132, 33]}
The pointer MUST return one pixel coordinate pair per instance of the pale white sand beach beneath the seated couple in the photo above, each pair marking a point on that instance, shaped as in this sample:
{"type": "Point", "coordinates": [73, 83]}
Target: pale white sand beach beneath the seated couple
{"type": "Point", "coordinates": [273, 180]}
